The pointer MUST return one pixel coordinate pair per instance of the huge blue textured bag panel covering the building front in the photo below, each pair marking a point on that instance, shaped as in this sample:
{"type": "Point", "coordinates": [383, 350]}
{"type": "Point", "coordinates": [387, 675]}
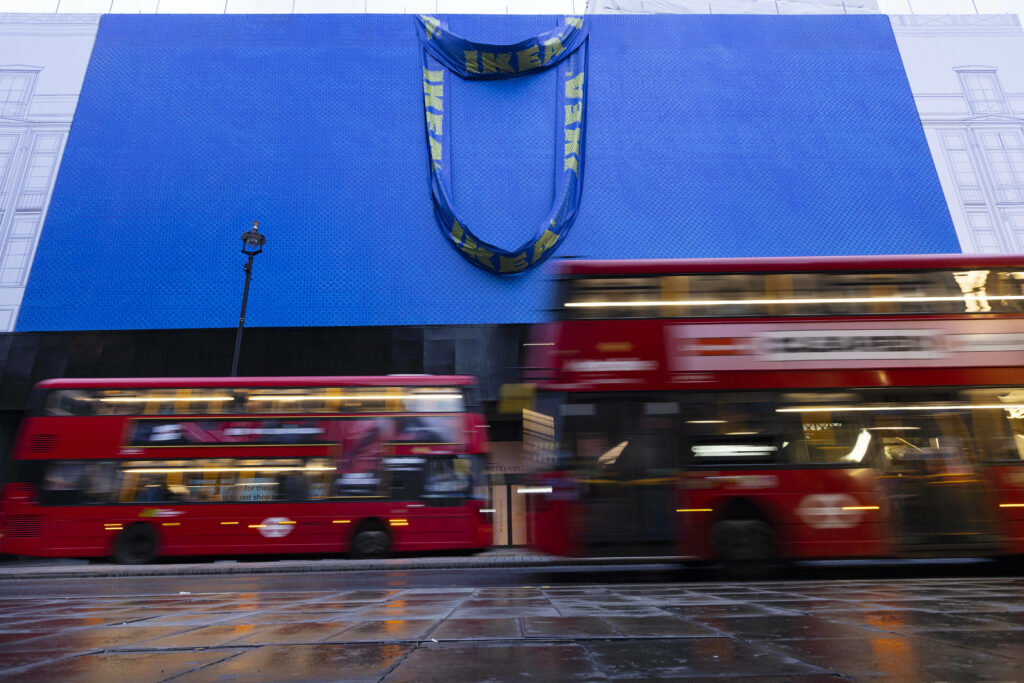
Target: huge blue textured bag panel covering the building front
{"type": "Point", "coordinates": [708, 136]}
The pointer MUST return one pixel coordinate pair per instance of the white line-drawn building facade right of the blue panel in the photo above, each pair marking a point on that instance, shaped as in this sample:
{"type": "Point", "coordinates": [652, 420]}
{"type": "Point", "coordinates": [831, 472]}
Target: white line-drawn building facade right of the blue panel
{"type": "Point", "coordinates": [967, 75]}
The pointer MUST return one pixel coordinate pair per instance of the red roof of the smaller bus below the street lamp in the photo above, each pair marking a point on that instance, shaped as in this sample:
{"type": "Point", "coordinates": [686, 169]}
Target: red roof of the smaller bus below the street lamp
{"type": "Point", "coordinates": [177, 382]}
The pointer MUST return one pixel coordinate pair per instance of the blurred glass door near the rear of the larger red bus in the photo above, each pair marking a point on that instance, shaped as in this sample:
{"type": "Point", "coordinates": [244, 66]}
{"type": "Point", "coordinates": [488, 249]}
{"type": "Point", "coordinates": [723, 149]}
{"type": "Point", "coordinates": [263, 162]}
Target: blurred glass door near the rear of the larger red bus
{"type": "Point", "coordinates": [937, 498]}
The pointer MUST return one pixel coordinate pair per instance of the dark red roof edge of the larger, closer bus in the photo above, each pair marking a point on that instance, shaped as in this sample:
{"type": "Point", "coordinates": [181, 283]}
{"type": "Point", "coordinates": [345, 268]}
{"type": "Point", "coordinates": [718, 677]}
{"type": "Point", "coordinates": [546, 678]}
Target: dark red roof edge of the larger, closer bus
{"type": "Point", "coordinates": [572, 268]}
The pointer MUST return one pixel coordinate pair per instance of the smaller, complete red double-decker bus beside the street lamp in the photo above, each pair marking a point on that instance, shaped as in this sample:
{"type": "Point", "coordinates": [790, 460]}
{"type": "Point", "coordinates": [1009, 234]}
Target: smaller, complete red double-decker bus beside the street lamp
{"type": "Point", "coordinates": [141, 468]}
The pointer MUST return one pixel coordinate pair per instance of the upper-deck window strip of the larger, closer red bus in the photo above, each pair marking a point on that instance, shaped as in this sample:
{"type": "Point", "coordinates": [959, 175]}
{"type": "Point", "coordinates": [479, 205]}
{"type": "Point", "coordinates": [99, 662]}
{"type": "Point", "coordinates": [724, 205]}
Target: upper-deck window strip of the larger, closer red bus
{"type": "Point", "coordinates": [795, 294]}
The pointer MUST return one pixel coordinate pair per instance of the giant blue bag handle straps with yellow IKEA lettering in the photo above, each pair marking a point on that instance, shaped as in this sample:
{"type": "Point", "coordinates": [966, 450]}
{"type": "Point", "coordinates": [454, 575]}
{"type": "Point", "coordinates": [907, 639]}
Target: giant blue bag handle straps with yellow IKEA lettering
{"type": "Point", "coordinates": [444, 52]}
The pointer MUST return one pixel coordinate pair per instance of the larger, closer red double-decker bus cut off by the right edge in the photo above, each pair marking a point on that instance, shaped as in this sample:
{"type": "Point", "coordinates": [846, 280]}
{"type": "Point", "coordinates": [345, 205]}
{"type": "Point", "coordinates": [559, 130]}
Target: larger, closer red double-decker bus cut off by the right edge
{"type": "Point", "coordinates": [744, 411]}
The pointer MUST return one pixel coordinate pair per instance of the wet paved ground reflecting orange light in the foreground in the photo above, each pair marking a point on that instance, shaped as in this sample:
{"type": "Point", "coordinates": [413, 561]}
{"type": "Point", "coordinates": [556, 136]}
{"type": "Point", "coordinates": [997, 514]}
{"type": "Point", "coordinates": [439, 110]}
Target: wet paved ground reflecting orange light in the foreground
{"type": "Point", "coordinates": [333, 628]}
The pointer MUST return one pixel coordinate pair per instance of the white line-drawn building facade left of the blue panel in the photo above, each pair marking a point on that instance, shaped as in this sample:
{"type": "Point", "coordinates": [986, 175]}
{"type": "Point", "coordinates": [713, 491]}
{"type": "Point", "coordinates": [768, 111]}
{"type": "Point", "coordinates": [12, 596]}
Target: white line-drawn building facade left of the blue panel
{"type": "Point", "coordinates": [42, 65]}
